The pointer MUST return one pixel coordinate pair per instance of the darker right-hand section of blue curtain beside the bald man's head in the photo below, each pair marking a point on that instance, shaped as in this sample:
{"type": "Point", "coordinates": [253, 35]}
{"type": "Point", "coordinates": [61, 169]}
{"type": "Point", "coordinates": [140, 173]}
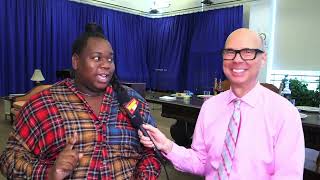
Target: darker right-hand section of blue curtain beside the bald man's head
{"type": "Point", "coordinates": [205, 60]}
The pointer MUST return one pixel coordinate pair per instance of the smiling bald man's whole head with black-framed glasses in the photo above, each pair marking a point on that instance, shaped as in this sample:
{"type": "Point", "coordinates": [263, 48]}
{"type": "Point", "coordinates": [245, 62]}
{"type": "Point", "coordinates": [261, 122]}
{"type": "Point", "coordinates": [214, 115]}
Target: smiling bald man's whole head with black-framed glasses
{"type": "Point", "coordinates": [243, 73]}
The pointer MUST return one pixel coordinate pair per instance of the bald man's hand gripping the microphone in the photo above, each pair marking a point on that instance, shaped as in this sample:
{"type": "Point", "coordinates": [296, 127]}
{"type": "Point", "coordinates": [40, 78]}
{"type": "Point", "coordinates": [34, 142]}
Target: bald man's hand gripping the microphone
{"type": "Point", "coordinates": [161, 141]}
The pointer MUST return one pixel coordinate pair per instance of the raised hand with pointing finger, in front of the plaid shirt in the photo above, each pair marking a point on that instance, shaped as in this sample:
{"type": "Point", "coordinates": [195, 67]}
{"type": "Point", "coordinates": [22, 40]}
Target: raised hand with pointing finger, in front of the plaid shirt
{"type": "Point", "coordinates": [66, 161]}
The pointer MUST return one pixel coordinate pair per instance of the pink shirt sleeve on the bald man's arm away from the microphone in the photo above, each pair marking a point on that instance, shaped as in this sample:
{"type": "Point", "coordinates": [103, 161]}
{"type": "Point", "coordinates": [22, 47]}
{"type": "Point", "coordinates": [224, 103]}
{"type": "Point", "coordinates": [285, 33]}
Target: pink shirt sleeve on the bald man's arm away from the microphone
{"type": "Point", "coordinates": [289, 148]}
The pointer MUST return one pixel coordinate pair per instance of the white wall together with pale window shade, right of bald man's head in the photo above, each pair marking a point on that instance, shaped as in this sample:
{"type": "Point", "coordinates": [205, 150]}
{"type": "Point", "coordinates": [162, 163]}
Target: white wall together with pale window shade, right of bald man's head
{"type": "Point", "coordinates": [294, 42]}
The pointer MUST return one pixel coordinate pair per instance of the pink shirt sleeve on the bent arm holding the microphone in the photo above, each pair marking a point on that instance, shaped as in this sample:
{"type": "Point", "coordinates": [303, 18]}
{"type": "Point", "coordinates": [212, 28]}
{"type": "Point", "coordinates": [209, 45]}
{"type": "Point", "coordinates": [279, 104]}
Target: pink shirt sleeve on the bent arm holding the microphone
{"type": "Point", "coordinates": [191, 160]}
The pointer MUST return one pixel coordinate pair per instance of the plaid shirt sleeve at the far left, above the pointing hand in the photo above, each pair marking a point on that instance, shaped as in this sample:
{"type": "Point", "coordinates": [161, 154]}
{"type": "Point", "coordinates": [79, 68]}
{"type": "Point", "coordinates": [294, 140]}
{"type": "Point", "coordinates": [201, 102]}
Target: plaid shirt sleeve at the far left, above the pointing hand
{"type": "Point", "coordinates": [21, 157]}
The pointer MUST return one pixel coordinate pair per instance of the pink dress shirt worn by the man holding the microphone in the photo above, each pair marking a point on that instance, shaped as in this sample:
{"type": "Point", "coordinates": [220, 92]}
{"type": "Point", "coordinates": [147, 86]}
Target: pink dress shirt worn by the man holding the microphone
{"type": "Point", "coordinates": [270, 142]}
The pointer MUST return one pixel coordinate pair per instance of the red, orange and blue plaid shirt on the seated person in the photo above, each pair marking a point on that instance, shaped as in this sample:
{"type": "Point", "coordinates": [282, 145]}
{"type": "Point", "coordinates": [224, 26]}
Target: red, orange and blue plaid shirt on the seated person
{"type": "Point", "coordinates": [108, 141]}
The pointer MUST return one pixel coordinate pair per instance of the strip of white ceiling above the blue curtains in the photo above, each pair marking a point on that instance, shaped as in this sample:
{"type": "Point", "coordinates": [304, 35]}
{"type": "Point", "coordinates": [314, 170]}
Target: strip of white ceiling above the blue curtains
{"type": "Point", "coordinates": [143, 7]}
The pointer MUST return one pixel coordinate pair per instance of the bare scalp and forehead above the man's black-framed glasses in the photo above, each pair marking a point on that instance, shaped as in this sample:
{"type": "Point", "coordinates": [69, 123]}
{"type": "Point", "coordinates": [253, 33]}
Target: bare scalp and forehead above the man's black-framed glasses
{"type": "Point", "coordinates": [244, 38]}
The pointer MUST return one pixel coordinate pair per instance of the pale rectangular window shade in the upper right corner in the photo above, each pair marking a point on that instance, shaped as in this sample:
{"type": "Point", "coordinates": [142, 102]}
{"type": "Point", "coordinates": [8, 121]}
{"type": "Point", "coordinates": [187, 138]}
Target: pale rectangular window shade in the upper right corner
{"type": "Point", "coordinates": [297, 35]}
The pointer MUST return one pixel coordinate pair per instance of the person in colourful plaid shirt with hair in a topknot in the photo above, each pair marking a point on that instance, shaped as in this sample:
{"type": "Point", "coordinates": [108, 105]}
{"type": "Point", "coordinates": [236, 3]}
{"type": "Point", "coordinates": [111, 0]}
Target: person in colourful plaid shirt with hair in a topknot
{"type": "Point", "coordinates": [76, 129]}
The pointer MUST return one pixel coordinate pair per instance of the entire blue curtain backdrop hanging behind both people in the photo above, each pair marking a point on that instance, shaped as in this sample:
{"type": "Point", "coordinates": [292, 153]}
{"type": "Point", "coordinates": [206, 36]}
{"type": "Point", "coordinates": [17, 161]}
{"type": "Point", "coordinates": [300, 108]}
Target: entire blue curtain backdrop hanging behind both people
{"type": "Point", "coordinates": [172, 53]}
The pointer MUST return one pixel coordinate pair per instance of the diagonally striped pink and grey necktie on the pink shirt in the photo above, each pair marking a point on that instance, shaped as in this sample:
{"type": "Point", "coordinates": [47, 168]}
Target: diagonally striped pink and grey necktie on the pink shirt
{"type": "Point", "coordinates": [230, 143]}
